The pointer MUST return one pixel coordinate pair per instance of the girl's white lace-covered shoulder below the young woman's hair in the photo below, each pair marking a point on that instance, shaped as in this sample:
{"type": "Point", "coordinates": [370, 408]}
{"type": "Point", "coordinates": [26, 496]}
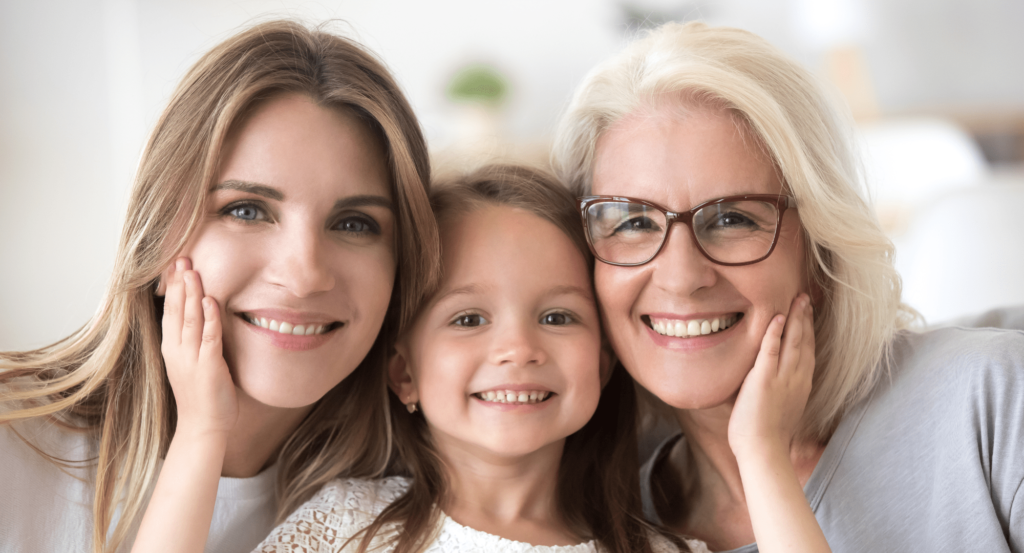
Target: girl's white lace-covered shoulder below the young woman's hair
{"type": "Point", "coordinates": [339, 512]}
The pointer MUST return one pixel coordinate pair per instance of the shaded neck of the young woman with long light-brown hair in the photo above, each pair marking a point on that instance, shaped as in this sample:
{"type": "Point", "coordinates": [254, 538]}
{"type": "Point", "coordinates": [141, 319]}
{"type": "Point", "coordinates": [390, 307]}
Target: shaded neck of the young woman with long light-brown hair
{"type": "Point", "coordinates": [259, 436]}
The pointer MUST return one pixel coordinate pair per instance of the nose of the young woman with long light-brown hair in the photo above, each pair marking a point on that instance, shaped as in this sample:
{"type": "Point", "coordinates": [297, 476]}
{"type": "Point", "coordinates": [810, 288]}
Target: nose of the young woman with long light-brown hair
{"type": "Point", "coordinates": [298, 263]}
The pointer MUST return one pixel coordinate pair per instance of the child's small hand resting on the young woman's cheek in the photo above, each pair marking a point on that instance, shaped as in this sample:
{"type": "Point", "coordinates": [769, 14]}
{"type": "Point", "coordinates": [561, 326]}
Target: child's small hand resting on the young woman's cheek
{"type": "Point", "coordinates": [193, 353]}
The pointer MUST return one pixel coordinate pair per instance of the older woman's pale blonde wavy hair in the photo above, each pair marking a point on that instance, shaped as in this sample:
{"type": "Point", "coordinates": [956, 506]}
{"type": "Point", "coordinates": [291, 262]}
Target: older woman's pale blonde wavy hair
{"type": "Point", "coordinates": [809, 141]}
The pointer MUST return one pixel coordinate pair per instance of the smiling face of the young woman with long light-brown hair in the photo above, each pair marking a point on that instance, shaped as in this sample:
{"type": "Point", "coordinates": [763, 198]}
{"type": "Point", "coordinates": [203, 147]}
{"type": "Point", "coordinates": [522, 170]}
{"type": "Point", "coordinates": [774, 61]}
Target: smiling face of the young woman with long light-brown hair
{"type": "Point", "coordinates": [297, 247]}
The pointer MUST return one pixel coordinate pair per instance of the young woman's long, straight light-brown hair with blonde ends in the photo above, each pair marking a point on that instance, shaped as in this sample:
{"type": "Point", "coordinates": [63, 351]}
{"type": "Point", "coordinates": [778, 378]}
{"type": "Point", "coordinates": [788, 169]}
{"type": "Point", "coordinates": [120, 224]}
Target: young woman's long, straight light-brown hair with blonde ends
{"type": "Point", "coordinates": [109, 378]}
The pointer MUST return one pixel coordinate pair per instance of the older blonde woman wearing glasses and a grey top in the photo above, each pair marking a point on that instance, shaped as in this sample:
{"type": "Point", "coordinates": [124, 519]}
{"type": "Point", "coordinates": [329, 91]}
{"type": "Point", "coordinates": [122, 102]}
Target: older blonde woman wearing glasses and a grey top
{"type": "Point", "coordinates": [910, 442]}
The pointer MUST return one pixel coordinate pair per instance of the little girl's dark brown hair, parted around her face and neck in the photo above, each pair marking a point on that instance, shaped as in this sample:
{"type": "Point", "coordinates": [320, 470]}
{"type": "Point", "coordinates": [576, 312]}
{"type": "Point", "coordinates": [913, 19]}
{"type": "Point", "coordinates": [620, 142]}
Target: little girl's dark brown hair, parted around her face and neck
{"type": "Point", "coordinates": [599, 482]}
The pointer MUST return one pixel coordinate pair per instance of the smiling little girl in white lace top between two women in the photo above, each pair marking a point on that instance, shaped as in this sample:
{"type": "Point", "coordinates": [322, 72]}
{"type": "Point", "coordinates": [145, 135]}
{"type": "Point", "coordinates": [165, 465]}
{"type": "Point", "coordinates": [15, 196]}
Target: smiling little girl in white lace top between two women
{"type": "Point", "coordinates": [515, 431]}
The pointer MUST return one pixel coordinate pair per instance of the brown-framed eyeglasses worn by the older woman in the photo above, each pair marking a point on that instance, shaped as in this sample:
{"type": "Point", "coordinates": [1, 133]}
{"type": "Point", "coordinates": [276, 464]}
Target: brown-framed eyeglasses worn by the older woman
{"type": "Point", "coordinates": [732, 231]}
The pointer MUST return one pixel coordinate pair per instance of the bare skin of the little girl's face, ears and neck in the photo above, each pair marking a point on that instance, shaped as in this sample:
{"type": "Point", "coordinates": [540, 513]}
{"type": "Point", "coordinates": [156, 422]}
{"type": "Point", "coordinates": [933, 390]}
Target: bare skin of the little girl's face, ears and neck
{"type": "Point", "coordinates": [496, 326]}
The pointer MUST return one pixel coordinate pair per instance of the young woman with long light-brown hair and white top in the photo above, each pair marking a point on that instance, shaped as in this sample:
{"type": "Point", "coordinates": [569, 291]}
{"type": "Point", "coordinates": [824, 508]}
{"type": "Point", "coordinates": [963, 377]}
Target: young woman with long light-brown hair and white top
{"type": "Point", "coordinates": [290, 173]}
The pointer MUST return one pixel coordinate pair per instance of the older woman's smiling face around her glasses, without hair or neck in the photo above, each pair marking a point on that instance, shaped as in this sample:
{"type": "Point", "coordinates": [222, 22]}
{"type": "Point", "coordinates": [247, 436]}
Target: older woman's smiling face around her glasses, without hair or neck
{"type": "Point", "coordinates": [679, 159]}
